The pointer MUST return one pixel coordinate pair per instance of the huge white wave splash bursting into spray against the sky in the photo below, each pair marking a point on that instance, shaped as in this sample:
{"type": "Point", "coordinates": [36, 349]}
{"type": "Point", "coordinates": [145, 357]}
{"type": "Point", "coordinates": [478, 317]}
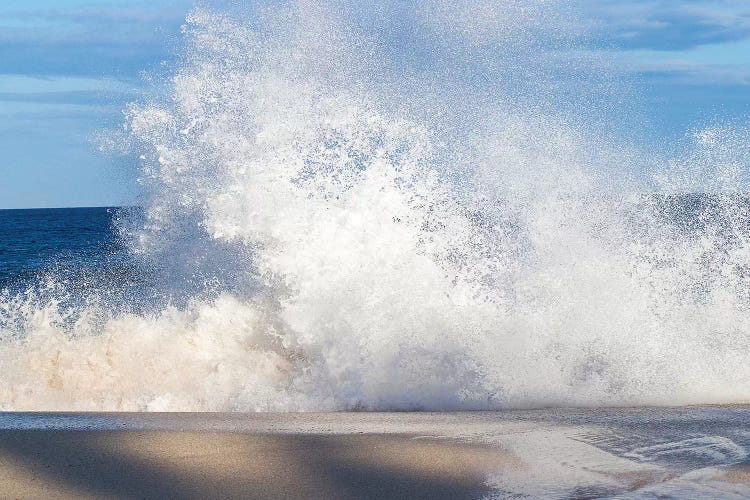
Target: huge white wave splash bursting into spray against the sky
{"type": "Point", "coordinates": [380, 231]}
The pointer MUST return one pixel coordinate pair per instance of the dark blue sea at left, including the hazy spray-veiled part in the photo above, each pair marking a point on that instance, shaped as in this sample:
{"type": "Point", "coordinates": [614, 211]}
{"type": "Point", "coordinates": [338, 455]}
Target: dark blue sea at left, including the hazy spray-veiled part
{"type": "Point", "coordinates": [80, 251]}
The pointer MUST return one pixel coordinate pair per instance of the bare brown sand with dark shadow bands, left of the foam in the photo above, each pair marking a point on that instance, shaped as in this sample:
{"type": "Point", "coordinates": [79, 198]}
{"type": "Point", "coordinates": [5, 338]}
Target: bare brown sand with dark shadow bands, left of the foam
{"type": "Point", "coordinates": [157, 464]}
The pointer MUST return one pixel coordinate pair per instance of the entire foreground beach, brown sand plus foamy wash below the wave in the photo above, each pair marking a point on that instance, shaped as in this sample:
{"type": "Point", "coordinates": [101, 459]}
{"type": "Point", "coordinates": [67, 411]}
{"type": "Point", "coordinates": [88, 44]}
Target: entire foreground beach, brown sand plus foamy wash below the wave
{"type": "Point", "coordinates": [628, 453]}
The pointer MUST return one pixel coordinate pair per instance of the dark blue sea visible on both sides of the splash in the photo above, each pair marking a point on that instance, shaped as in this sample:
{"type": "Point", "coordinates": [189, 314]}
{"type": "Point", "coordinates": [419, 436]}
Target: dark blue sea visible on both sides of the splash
{"type": "Point", "coordinates": [81, 250]}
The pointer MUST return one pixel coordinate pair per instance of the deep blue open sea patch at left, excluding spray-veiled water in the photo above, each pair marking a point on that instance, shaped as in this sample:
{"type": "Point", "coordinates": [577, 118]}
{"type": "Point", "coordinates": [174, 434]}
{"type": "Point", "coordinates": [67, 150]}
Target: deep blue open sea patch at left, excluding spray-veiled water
{"type": "Point", "coordinates": [73, 244]}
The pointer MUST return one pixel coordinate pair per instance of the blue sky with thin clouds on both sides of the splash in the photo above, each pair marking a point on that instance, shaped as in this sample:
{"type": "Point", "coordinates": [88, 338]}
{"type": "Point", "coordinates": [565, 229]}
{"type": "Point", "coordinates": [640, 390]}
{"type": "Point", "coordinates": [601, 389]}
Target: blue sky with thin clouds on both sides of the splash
{"type": "Point", "coordinates": [68, 68]}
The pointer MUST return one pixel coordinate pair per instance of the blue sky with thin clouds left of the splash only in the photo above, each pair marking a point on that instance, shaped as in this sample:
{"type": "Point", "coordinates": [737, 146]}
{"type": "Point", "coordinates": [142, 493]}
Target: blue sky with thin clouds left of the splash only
{"type": "Point", "coordinates": [67, 68]}
